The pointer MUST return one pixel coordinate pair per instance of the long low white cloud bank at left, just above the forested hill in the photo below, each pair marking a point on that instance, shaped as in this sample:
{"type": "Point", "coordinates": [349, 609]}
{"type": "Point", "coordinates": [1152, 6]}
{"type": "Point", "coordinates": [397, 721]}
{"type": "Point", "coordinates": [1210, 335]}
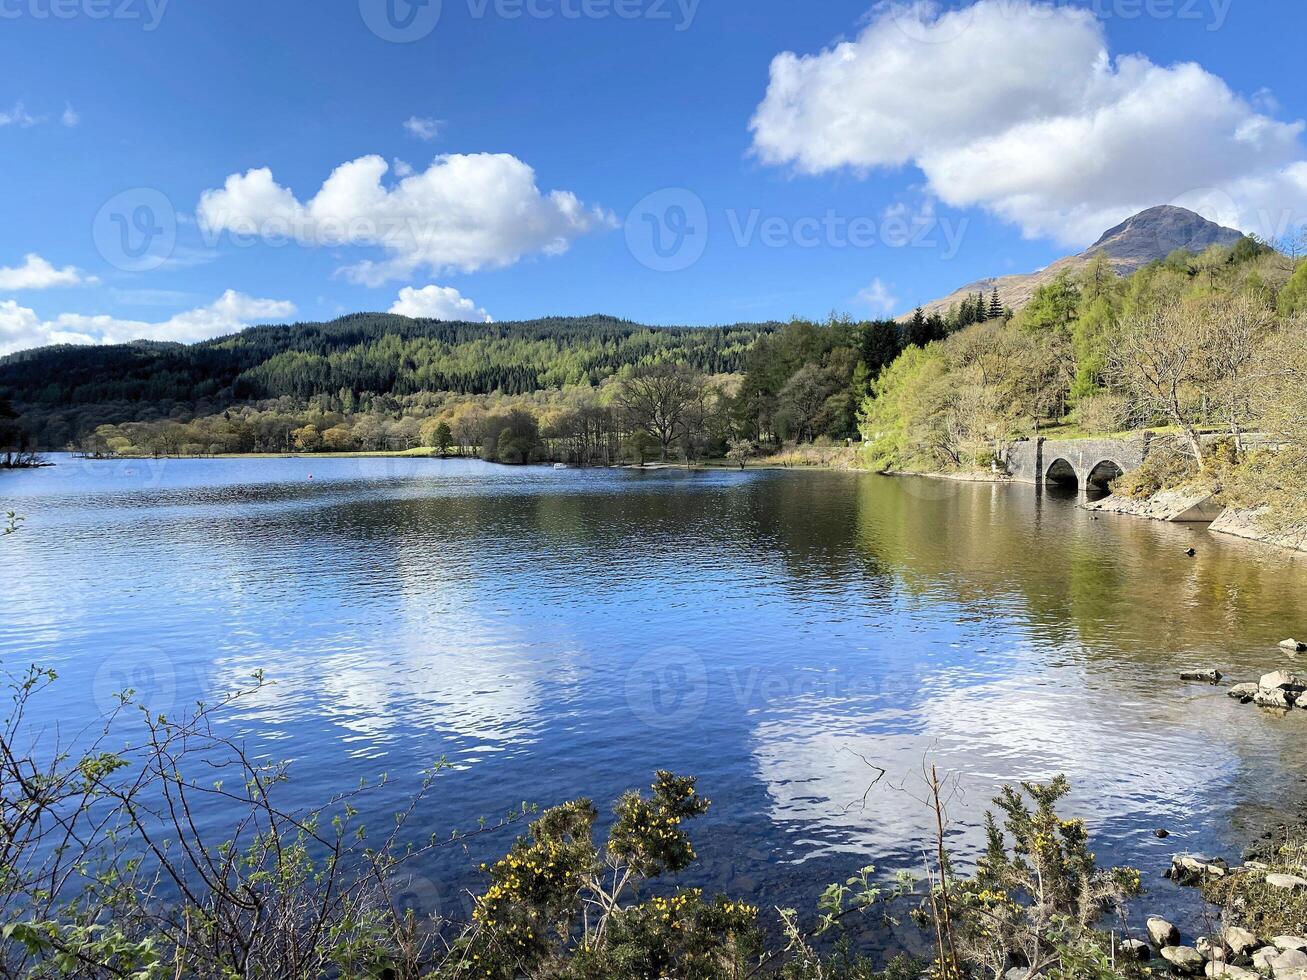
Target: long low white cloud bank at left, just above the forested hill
{"type": "Point", "coordinates": [23, 329]}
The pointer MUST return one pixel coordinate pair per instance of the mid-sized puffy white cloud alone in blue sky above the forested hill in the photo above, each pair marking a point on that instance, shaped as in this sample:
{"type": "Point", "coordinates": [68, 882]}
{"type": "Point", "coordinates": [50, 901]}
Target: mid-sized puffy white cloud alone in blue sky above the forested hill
{"type": "Point", "coordinates": [466, 212]}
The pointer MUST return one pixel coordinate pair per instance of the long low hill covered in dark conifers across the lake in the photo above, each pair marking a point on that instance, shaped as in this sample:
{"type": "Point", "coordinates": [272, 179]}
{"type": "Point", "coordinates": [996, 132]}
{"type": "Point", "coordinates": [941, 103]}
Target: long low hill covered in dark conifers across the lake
{"type": "Point", "coordinates": [67, 390]}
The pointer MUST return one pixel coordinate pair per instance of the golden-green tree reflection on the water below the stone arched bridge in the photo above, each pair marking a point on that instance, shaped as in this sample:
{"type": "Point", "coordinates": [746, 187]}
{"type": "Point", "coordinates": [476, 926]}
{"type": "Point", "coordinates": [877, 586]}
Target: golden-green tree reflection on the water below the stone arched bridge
{"type": "Point", "coordinates": [1116, 585]}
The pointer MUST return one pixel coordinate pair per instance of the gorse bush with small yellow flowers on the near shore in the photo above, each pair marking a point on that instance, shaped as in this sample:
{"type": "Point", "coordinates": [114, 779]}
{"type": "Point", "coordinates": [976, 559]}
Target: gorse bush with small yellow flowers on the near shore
{"type": "Point", "coordinates": [560, 907]}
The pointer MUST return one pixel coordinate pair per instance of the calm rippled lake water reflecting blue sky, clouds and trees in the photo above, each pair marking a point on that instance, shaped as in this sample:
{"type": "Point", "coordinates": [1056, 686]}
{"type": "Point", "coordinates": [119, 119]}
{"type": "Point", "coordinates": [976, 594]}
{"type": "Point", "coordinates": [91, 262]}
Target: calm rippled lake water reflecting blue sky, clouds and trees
{"type": "Point", "coordinates": [567, 633]}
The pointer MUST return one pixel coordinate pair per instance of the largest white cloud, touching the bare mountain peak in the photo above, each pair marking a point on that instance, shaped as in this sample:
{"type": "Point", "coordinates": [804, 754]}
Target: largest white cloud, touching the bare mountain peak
{"type": "Point", "coordinates": [1019, 108]}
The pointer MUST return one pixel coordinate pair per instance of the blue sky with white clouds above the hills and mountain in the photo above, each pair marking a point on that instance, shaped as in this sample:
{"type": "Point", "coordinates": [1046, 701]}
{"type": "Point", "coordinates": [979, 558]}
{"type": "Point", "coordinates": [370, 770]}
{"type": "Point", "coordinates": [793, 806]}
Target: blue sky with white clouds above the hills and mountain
{"type": "Point", "coordinates": [669, 161]}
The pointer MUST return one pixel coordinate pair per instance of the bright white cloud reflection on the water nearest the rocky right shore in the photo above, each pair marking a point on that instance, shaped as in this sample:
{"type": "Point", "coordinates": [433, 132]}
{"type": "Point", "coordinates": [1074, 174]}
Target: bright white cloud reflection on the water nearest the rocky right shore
{"type": "Point", "coordinates": [1123, 759]}
